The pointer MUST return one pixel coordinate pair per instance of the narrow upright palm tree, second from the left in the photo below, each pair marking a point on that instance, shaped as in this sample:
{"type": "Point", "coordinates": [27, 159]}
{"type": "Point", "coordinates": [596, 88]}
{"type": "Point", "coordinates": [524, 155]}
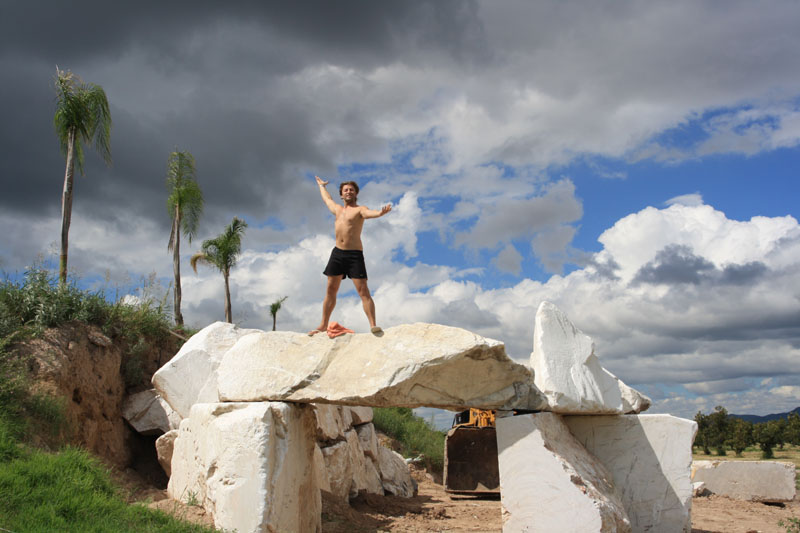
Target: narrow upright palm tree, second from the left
{"type": "Point", "coordinates": [185, 205]}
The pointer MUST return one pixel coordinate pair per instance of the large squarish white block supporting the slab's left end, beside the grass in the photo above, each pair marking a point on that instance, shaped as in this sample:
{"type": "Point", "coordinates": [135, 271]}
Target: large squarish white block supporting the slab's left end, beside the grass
{"type": "Point", "coordinates": [250, 465]}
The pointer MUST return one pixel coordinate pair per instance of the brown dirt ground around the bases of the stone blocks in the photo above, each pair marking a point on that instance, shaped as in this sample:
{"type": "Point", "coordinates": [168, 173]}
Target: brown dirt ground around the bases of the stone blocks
{"type": "Point", "coordinates": [434, 510]}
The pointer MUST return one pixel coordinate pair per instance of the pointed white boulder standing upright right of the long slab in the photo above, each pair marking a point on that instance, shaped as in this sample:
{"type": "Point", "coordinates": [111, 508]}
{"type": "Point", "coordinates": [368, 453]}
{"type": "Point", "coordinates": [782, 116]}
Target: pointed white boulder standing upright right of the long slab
{"type": "Point", "coordinates": [569, 374]}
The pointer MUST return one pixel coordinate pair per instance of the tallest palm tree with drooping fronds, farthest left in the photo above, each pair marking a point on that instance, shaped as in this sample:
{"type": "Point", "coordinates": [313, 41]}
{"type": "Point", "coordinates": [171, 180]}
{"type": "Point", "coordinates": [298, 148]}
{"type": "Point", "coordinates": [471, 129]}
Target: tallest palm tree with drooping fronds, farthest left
{"type": "Point", "coordinates": [82, 116]}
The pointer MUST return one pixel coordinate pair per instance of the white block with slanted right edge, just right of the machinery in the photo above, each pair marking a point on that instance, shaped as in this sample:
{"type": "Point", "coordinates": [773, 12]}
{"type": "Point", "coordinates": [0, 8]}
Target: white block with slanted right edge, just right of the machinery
{"type": "Point", "coordinates": [548, 479]}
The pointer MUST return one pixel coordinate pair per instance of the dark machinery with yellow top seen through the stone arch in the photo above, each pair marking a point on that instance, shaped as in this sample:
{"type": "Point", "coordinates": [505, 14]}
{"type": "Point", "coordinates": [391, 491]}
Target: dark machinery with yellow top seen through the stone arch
{"type": "Point", "coordinates": [470, 454]}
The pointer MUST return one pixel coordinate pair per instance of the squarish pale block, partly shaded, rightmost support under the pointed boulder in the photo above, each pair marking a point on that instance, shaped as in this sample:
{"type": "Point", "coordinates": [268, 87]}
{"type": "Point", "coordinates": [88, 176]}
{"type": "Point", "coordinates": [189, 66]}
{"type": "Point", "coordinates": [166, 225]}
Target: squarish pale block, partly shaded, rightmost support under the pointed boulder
{"type": "Point", "coordinates": [649, 457]}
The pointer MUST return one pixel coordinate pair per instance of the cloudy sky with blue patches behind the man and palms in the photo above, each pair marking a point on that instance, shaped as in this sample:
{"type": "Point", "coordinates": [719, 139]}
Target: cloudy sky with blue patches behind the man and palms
{"type": "Point", "coordinates": [580, 154]}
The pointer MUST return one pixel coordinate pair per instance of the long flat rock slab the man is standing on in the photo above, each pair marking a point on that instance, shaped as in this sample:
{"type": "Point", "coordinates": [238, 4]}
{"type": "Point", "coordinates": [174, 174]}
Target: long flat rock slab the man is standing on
{"type": "Point", "coordinates": [410, 365]}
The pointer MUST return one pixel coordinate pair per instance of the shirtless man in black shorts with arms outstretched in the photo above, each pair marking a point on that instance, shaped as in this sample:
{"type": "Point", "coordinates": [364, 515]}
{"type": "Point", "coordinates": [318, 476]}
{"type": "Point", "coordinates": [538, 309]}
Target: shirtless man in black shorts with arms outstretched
{"type": "Point", "coordinates": [347, 258]}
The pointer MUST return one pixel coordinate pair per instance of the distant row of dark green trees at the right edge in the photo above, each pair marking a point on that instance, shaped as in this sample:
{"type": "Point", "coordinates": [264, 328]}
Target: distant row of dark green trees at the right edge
{"type": "Point", "coordinates": [721, 432]}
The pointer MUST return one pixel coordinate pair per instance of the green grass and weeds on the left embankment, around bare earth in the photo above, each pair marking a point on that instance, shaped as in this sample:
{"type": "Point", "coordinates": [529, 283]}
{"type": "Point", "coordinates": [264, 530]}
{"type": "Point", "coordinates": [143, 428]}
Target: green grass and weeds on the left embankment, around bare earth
{"type": "Point", "coordinates": [68, 491]}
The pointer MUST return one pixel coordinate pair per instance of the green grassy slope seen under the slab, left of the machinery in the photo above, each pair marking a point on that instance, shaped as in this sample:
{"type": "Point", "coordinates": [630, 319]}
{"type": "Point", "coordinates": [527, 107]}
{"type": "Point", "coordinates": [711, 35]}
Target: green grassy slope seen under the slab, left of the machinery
{"type": "Point", "coordinates": [416, 436]}
